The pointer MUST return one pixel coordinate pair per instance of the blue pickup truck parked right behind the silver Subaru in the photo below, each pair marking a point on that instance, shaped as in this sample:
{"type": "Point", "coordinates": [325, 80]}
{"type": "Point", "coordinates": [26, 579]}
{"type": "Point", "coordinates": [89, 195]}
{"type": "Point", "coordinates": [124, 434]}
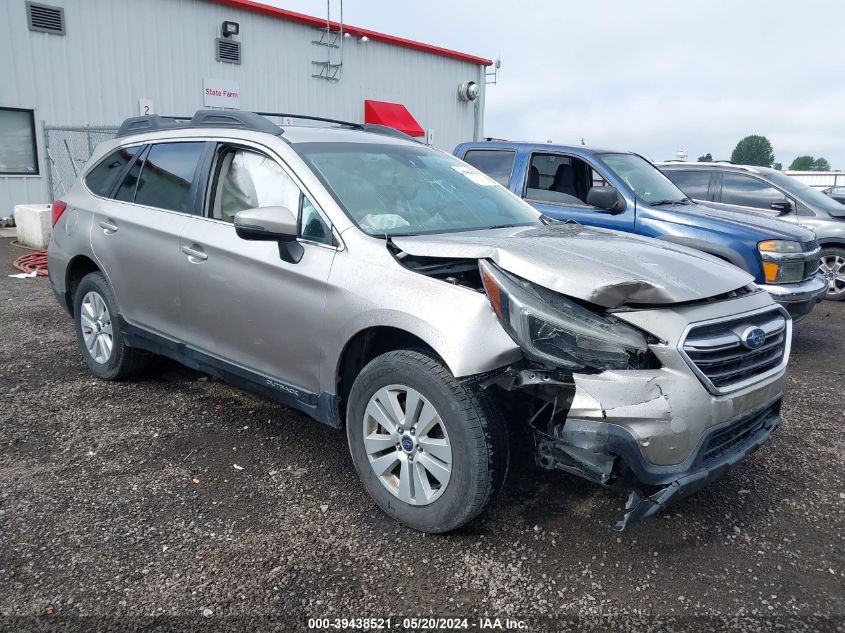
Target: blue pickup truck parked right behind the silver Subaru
{"type": "Point", "coordinates": [625, 192]}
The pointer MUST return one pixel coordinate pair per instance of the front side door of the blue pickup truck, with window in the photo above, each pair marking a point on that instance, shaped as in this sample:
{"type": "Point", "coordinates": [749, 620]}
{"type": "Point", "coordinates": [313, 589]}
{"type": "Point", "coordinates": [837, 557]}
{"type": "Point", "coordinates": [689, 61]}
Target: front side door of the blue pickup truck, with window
{"type": "Point", "coordinates": [557, 184]}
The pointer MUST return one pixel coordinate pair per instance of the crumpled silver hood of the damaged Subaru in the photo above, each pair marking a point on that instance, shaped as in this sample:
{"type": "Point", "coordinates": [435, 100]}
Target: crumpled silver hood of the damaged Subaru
{"type": "Point", "coordinates": [607, 268]}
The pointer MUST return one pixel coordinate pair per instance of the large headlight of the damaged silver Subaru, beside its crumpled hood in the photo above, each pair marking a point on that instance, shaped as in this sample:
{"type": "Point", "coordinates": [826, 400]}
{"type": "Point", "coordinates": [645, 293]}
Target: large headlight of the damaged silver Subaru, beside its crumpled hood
{"type": "Point", "coordinates": [552, 329]}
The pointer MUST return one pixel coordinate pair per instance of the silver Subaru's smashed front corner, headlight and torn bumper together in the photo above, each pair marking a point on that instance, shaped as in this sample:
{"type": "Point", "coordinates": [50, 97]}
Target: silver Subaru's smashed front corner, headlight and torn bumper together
{"type": "Point", "coordinates": [602, 406]}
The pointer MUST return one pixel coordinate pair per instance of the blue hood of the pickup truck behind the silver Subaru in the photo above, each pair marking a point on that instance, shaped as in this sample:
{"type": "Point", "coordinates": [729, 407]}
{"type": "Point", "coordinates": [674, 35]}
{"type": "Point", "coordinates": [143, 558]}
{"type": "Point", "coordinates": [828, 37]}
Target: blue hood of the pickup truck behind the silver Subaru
{"type": "Point", "coordinates": [754, 223]}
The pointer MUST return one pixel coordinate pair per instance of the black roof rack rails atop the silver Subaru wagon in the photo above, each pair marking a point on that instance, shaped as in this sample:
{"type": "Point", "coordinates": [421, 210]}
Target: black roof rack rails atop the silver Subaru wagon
{"type": "Point", "coordinates": [255, 121]}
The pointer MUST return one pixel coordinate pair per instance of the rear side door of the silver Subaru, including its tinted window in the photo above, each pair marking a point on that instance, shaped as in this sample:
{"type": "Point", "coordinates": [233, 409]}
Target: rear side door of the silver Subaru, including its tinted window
{"type": "Point", "coordinates": [135, 233]}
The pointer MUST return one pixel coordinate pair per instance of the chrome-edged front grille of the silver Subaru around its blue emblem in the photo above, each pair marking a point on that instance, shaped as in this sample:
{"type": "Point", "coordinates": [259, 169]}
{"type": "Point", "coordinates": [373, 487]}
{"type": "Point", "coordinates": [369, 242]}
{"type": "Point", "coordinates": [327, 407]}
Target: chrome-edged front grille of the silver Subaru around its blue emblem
{"type": "Point", "coordinates": [716, 352]}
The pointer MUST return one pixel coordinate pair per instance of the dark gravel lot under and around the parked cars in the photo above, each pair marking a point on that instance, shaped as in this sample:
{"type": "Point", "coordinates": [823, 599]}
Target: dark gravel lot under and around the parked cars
{"type": "Point", "coordinates": [177, 496]}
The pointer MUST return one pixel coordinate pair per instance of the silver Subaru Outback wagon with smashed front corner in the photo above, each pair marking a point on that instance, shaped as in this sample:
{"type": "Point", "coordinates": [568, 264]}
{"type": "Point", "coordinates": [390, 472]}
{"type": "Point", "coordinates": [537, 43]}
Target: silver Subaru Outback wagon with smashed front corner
{"type": "Point", "coordinates": [387, 288]}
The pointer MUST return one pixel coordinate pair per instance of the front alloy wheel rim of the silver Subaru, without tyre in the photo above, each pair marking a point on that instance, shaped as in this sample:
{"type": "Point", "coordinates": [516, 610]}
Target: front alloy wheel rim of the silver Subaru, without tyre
{"type": "Point", "coordinates": [407, 444]}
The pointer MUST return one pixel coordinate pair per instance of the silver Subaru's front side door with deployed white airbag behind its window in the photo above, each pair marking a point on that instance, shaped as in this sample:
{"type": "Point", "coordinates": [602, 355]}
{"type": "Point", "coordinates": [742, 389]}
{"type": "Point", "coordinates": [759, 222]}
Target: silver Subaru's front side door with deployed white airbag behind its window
{"type": "Point", "coordinates": [243, 303]}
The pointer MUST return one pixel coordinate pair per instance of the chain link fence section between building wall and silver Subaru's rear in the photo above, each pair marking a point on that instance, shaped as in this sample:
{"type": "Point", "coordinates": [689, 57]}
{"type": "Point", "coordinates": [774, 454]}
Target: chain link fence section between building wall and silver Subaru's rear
{"type": "Point", "coordinates": [68, 149]}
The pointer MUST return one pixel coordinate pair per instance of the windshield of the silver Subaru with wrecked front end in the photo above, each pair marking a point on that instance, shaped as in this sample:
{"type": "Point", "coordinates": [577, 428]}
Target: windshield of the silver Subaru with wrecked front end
{"type": "Point", "coordinates": [400, 190]}
